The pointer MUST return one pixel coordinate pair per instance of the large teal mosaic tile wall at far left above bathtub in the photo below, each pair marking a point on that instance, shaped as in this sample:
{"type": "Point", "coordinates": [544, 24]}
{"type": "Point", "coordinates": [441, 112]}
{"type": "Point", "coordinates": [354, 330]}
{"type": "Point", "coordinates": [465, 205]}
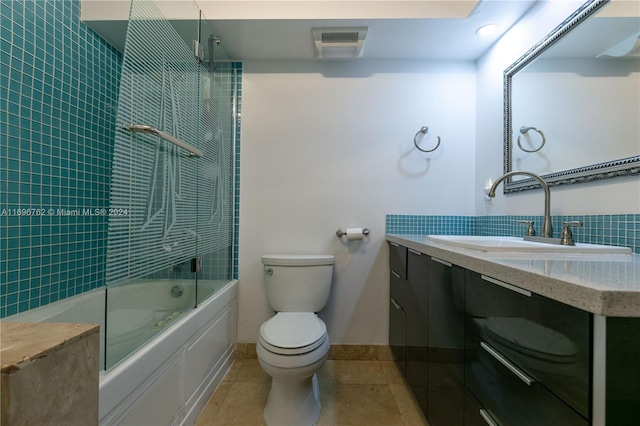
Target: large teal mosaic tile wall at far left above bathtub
{"type": "Point", "coordinates": [58, 89]}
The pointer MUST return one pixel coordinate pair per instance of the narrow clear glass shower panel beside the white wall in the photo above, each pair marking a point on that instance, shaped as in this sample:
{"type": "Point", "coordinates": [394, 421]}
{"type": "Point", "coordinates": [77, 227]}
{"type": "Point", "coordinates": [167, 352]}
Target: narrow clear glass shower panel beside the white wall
{"type": "Point", "coordinates": [215, 196]}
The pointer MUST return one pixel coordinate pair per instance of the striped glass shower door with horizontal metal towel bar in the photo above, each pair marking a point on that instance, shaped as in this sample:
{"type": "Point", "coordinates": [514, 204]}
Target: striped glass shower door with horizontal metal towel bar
{"type": "Point", "coordinates": [155, 236]}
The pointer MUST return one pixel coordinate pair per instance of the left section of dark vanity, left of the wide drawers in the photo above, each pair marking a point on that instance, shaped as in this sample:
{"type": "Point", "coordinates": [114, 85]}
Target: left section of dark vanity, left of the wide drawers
{"type": "Point", "coordinates": [427, 312]}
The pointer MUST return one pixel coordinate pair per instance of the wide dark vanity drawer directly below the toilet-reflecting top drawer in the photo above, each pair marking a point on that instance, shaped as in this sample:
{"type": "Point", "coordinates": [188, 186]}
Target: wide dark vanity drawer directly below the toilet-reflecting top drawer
{"type": "Point", "coordinates": [508, 394]}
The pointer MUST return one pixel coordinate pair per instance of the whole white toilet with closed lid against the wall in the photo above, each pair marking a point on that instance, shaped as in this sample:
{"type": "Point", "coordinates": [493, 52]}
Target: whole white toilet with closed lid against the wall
{"type": "Point", "coordinates": [293, 344]}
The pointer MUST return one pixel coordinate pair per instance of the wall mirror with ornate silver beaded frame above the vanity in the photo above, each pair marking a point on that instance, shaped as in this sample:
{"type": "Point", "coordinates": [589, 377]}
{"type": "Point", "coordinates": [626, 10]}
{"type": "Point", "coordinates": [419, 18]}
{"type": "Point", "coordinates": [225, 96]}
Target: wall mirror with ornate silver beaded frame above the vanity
{"type": "Point", "coordinates": [572, 102]}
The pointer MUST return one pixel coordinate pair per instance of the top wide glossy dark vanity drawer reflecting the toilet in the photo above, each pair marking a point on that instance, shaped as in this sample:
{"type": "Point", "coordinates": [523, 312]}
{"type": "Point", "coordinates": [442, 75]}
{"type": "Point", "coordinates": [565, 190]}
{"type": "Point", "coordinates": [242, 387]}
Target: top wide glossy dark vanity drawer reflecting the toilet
{"type": "Point", "coordinates": [548, 340]}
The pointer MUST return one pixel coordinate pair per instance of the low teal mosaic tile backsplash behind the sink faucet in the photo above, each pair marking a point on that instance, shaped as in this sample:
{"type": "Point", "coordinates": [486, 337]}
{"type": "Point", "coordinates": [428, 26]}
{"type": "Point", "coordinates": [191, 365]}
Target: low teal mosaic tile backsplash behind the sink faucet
{"type": "Point", "coordinates": [616, 230]}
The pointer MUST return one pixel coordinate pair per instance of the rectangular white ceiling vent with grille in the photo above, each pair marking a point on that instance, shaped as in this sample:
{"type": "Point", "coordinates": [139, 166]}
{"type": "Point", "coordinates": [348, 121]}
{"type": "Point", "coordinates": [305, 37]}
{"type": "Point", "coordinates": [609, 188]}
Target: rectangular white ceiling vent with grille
{"type": "Point", "coordinates": [339, 43]}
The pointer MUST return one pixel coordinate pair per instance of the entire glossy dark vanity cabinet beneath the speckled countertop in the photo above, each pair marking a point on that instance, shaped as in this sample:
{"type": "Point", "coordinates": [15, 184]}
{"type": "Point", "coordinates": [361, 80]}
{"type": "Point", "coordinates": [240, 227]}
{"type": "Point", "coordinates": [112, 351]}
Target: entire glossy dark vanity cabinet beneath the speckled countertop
{"type": "Point", "coordinates": [477, 350]}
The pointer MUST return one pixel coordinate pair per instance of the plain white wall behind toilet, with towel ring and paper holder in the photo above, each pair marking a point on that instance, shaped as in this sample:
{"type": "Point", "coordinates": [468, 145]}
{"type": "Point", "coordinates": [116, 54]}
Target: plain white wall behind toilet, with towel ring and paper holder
{"type": "Point", "coordinates": [328, 145]}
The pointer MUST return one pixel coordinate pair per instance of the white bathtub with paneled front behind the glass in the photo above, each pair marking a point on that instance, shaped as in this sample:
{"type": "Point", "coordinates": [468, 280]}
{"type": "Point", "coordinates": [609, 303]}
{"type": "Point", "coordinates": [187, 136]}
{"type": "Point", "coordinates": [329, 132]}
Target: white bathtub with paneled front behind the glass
{"type": "Point", "coordinates": [169, 379]}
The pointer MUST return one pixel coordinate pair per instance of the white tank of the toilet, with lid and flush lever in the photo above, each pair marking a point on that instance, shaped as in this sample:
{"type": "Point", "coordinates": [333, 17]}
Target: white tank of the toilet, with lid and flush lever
{"type": "Point", "coordinates": [297, 283]}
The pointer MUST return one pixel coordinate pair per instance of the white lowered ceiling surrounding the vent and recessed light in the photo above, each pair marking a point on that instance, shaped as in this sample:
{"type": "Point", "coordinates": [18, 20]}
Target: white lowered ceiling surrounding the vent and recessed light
{"type": "Point", "coordinates": [387, 39]}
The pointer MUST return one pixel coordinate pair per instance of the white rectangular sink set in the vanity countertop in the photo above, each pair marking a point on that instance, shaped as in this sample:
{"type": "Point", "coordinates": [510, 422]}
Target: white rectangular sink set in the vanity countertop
{"type": "Point", "coordinates": [518, 244]}
